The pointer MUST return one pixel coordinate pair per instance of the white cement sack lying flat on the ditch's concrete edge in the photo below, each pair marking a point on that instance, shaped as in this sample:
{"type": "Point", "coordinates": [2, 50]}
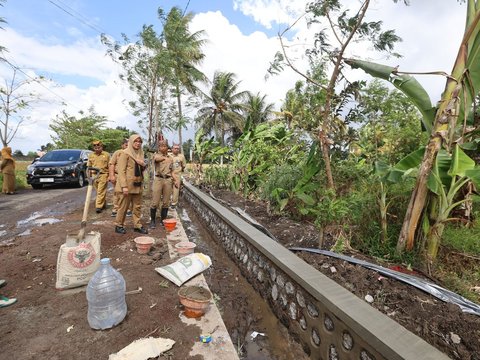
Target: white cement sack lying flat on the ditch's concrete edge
{"type": "Point", "coordinates": [185, 268]}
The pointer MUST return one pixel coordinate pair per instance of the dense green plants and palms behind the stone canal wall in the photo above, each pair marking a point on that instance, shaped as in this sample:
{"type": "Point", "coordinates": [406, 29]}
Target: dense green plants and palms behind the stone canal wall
{"type": "Point", "coordinates": [353, 172]}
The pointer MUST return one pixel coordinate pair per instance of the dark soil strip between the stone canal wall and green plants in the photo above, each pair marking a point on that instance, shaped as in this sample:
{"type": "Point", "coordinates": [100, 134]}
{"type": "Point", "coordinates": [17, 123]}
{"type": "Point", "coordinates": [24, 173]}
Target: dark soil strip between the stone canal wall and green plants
{"type": "Point", "coordinates": [441, 324]}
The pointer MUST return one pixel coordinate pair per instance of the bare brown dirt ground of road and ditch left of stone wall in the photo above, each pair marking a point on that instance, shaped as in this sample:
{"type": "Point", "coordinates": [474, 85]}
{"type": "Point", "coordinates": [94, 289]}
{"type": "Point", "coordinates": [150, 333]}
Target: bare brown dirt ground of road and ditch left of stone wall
{"type": "Point", "coordinates": [49, 324]}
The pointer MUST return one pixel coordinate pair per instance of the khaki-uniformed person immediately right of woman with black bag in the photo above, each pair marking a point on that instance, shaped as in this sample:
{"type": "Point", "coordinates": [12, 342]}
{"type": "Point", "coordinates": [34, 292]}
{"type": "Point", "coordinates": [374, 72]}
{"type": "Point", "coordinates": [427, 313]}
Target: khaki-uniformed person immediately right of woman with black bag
{"type": "Point", "coordinates": [163, 181]}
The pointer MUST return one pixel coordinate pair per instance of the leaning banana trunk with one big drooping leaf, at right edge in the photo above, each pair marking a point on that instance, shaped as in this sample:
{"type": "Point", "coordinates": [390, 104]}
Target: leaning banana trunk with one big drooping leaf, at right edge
{"type": "Point", "coordinates": [462, 85]}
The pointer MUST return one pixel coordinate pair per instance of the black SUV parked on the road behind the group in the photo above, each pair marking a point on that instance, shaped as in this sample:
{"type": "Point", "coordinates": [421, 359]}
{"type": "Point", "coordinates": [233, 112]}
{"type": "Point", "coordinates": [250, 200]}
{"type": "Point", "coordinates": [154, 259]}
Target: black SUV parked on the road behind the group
{"type": "Point", "coordinates": [66, 166]}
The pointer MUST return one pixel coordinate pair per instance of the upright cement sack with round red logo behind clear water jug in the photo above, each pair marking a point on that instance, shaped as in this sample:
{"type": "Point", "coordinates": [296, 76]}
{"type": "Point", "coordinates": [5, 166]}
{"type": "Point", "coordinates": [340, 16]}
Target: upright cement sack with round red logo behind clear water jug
{"type": "Point", "coordinates": [77, 262]}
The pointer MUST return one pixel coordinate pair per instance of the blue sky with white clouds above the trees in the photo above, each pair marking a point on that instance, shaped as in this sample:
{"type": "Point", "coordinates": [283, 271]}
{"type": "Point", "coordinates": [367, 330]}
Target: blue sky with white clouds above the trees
{"type": "Point", "coordinates": [60, 39]}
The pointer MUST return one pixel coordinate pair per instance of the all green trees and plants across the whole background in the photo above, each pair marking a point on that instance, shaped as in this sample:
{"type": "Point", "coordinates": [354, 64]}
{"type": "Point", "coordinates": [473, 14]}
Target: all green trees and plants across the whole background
{"type": "Point", "coordinates": [376, 168]}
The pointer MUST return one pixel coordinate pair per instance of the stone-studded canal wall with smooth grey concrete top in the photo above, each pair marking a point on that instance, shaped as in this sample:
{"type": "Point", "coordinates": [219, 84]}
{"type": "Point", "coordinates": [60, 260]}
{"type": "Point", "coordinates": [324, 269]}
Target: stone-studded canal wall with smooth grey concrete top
{"type": "Point", "coordinates": [329, 321]}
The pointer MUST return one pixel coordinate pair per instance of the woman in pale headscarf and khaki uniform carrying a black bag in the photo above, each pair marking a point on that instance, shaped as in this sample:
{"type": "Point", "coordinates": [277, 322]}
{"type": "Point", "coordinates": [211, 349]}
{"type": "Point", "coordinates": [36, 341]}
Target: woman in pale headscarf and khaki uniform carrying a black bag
{"type": "Point", "coordinates": [129, 184]}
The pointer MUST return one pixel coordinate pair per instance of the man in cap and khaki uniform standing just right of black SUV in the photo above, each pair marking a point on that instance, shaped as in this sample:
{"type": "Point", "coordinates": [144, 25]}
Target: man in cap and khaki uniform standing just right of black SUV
{"type": "Point", "coordinates": [99, 159]}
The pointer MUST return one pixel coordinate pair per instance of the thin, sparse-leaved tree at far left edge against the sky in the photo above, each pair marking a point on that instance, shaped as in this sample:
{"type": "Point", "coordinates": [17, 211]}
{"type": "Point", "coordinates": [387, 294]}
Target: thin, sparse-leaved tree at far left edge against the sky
{"type": "Point", "coordinates": [15, 97]}
